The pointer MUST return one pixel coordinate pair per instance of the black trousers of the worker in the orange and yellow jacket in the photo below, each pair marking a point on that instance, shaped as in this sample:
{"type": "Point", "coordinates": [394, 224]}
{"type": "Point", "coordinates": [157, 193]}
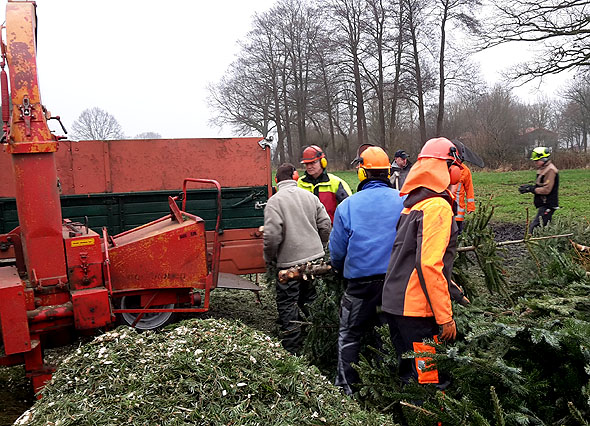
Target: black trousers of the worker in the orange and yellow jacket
{"type": "Point", "coordinates": [404, 332]}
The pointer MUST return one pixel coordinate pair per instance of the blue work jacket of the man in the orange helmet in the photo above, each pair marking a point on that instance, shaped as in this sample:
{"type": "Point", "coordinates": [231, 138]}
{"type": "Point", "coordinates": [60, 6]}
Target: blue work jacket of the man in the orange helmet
{"type": "Point", "coordinates": [364, 230]}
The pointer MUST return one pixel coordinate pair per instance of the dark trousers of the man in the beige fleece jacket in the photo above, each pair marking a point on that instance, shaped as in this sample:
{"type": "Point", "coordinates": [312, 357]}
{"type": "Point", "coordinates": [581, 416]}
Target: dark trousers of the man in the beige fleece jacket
{"type": "Point", "coordinates": [293, 300]}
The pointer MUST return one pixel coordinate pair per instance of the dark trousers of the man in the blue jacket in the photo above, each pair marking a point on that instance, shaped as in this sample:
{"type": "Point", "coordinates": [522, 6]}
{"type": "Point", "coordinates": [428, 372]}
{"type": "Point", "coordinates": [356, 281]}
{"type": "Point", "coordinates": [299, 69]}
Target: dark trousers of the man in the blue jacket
{"type": "Point", "coordinates": [358, 318]}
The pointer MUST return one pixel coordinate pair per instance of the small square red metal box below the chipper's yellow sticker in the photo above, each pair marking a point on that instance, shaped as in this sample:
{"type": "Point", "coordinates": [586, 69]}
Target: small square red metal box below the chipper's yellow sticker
{"type": "Point", "coordinates": [92, 308]}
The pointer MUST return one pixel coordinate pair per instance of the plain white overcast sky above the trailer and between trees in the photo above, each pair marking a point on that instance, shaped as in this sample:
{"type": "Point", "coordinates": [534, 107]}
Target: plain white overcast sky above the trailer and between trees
{"type": "Point", "coordinates": [148, 62]}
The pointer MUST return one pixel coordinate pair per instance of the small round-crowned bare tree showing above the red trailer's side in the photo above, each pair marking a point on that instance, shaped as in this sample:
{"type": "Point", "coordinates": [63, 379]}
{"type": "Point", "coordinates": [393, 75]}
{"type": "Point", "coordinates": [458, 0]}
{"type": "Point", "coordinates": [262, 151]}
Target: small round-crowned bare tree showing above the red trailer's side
{"type": "Point", "coordinates": [96, 124]}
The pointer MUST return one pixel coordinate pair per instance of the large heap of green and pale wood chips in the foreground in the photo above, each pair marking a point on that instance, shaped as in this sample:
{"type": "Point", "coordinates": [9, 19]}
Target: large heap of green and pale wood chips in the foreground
{"type": "Point", "coordinates": [214, 372]}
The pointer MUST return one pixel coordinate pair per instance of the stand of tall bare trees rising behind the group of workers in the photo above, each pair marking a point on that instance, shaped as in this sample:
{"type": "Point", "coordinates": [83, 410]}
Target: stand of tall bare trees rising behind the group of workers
{"type": "Point", "coordinates": [353, 72]}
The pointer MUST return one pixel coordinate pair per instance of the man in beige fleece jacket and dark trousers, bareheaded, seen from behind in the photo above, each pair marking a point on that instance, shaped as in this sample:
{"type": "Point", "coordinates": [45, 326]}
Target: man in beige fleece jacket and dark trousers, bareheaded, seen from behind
{"type": "Point", "coordinates": [296, 230]}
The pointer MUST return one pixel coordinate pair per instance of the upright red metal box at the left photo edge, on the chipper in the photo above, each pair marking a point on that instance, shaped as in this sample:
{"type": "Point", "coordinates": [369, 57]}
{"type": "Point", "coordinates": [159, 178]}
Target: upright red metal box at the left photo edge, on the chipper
{"type": "Point", "coordinates": [13, 312]}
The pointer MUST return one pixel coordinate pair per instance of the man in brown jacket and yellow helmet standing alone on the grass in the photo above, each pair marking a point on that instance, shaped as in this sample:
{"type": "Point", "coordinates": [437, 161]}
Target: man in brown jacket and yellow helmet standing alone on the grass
{"type": "Point", "coordinates": [545, 187]}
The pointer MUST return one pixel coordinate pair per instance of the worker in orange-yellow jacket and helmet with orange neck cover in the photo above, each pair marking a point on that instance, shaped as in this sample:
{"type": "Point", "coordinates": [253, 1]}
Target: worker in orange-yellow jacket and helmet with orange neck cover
{"type": "Point", "coordinates": [418, 289]}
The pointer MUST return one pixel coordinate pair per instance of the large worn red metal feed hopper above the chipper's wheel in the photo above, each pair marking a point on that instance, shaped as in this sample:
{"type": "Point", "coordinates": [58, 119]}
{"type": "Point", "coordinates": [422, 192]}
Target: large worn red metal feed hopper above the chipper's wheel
{"type": "Point", "coordinates": [163, 254]}
